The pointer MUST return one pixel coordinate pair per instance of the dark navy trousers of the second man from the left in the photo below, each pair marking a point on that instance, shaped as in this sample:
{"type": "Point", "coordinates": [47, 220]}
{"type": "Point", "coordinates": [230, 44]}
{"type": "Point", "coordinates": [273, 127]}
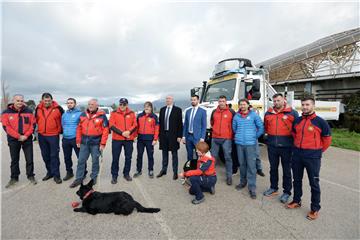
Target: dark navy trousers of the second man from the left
{"type": "Point", "coordinates": [50, 148]}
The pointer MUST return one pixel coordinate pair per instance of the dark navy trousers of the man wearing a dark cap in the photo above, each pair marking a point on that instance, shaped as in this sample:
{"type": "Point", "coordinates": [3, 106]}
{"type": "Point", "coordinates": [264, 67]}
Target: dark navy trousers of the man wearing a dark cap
{"type": "Point", "coordinates": [117, 145]}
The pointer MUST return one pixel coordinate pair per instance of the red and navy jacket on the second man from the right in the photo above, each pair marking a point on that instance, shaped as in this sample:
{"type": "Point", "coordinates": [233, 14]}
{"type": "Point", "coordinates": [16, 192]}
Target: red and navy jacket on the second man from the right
{"type": "Point", "coordinates": [278, 125]}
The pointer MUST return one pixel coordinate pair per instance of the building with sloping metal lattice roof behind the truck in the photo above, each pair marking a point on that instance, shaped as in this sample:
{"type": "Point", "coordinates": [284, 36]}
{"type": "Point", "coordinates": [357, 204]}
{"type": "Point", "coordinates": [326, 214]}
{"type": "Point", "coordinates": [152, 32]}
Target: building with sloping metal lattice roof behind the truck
{"type": "Point", "coordinates": [329, 68]}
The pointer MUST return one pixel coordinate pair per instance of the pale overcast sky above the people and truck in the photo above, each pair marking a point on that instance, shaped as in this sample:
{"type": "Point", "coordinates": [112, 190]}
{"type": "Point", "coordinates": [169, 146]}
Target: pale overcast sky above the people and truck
{"type": "Point", "coordinates": [146, 51]}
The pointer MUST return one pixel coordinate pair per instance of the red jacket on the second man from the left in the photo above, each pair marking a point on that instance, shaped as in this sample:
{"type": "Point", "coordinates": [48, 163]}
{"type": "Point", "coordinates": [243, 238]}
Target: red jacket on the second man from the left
{"type": "Point", "coordinates": [49, 119]}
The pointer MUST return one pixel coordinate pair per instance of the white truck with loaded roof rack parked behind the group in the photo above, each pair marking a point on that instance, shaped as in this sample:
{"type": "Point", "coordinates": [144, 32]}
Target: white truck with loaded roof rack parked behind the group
{"type": "Point", "coordinates": [238, 78]}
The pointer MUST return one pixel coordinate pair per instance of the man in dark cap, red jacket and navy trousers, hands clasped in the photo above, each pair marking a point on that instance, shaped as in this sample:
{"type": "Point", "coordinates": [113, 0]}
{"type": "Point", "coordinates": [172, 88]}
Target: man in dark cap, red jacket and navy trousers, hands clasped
{"type": "Point", "coordinates": [124, 125]}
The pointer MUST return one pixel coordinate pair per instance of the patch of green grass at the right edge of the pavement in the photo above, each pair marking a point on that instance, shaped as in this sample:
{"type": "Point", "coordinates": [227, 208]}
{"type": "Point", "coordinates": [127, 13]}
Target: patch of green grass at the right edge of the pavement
{"type": "Point", "coordinates": [342, 138]}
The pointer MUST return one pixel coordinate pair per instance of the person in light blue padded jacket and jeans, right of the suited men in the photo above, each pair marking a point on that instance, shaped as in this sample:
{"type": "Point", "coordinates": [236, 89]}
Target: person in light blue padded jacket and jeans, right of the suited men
{"type": "Point", "coordinates": [247, 127]}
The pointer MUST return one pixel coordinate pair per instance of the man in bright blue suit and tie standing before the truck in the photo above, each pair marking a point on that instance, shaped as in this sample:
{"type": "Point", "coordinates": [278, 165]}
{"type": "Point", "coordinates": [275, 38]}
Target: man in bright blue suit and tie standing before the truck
{"type": "Point", "coordinates": [194, 129]}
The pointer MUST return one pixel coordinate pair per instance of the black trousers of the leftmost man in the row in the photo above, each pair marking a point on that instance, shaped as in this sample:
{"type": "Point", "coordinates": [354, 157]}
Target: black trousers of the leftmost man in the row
{"type": "Point", "coordinates": [15, 147]}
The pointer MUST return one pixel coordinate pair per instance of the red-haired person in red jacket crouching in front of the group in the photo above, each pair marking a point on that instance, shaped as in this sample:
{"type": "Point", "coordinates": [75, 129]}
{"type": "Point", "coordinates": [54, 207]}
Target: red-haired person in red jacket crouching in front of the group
{"type": "Point", "coordinates": [203, 178]}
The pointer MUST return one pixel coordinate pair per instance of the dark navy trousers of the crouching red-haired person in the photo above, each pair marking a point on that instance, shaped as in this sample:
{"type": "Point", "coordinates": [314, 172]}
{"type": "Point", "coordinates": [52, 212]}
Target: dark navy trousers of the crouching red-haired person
{"type": "Point", "coordinates": [200, 184]}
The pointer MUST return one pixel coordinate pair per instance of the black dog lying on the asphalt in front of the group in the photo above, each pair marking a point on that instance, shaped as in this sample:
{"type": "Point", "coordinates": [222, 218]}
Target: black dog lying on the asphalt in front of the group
{"type": "Point", "coordinates": [113, 202]}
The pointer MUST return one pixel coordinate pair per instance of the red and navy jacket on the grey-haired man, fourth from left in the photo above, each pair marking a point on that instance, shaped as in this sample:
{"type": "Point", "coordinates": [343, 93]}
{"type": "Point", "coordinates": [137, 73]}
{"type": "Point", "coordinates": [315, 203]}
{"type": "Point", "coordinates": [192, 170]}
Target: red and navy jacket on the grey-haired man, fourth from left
{"type": "Point", "coordinates": [93, 128]}
